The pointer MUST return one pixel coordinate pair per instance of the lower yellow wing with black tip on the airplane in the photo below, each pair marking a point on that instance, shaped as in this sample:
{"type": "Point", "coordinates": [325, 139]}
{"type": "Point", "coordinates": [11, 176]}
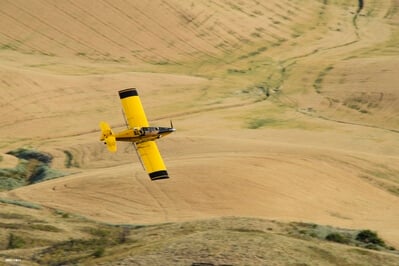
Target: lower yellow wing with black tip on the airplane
{"type": "Point", "coordinates": [152, 160]}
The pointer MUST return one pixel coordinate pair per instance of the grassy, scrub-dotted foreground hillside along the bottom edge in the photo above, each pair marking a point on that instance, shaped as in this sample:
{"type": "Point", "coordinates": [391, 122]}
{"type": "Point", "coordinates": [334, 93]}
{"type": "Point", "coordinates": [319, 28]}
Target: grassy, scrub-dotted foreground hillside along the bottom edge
{"type": "Point", "coordinates": [39, 236]}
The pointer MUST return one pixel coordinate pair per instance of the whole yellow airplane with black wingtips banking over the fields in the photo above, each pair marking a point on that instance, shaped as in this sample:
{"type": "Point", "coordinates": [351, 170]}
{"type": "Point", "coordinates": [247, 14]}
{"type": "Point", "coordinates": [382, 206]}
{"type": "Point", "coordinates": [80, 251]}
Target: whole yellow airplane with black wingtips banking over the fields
{"type": "Point", "coordinates": [139, 133]}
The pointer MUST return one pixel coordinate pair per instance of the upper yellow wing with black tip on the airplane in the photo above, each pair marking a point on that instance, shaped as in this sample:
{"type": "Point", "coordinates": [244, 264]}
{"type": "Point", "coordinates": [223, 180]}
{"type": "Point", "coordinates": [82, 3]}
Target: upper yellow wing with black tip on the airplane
{"type": "Point", "coordinates": [133, 108]}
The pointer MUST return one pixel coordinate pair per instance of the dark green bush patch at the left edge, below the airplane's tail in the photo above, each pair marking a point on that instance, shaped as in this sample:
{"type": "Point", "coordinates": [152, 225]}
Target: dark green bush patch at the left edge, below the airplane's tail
{"type": "Point", "coordinates": [33, 167]}
